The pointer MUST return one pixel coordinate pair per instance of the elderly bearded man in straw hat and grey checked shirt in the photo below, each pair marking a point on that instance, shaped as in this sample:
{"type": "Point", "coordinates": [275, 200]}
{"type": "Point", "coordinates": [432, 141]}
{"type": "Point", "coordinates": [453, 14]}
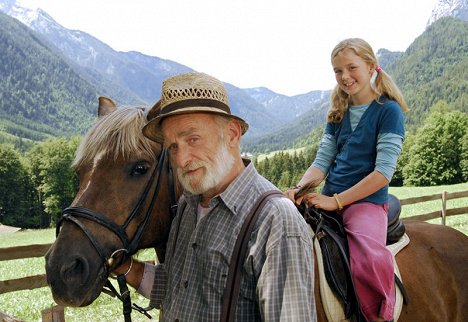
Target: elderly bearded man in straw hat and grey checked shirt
{"type": "Point", "coordinates": [194, 122]}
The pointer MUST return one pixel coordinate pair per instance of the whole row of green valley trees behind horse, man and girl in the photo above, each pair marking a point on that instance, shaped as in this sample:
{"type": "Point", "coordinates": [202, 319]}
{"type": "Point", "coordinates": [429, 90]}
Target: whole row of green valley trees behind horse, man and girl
{"type": "Point", "coordinates": [38, 183]}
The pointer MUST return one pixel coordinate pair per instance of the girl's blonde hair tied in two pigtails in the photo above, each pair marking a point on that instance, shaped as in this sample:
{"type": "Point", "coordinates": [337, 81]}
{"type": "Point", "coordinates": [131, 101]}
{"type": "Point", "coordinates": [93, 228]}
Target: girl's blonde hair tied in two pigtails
{"type": "Point", "coordinates": [384, 84]}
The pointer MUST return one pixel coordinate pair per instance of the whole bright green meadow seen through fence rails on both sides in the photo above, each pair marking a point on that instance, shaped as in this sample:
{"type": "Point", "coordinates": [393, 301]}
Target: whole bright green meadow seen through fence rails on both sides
{"type": "Point", "coordinates": [27, 305]}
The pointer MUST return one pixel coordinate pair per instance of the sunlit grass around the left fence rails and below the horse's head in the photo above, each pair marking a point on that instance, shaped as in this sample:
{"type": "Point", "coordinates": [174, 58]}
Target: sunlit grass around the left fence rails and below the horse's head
{"type": "Point", "coordinates": [28, 305]}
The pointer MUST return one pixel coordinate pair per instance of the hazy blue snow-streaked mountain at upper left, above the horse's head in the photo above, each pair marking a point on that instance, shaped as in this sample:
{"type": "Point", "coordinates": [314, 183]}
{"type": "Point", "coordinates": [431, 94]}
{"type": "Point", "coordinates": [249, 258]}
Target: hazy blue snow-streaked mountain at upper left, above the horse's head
{"type": "Point", "coordinates": [130, 72]}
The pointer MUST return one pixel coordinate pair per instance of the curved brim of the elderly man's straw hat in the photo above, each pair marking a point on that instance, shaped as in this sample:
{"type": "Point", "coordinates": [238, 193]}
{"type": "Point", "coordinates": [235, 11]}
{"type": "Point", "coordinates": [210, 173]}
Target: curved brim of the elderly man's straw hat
{"type": "Point", "coordinates": [152, 130]}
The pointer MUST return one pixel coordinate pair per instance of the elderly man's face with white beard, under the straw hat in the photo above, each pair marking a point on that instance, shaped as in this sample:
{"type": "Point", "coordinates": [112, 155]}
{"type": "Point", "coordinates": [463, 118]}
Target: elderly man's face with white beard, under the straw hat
{"type": "Point", "coordinates": [198, 148]}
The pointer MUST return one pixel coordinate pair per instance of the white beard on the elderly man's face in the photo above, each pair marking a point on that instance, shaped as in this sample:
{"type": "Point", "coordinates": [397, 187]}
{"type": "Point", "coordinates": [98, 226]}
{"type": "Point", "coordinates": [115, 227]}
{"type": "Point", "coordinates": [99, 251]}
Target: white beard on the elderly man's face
{"type": "Point", "coordinates": [213, 176]}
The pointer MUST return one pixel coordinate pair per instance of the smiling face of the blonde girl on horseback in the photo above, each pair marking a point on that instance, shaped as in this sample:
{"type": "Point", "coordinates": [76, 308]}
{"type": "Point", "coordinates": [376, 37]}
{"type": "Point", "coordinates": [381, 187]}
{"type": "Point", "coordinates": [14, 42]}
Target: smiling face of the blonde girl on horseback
{"type": "Point", "coordinates": [353, 75]}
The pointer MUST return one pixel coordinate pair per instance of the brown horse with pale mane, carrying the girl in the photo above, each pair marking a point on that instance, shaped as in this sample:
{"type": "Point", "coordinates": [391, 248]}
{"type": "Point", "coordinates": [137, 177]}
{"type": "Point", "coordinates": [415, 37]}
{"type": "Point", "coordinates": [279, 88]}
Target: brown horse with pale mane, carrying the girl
{"type": "Point", "coordinates": [115, 162]}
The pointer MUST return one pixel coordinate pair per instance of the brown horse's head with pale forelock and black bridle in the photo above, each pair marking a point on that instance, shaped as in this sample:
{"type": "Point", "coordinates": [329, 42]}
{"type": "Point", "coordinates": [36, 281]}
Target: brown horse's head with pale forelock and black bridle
{"type": "Point", "coordinates": [123, 204]}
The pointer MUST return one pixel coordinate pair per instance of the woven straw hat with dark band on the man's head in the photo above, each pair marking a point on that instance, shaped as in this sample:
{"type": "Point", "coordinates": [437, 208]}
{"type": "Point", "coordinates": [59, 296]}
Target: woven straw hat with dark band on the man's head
{"type": "Point", "coordinates": [188, 93]}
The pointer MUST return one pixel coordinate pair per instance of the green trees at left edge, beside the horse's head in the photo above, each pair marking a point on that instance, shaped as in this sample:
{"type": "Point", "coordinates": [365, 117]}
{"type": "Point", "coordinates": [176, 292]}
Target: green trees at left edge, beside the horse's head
{"type": "Point", "coordinates": [37, 184]}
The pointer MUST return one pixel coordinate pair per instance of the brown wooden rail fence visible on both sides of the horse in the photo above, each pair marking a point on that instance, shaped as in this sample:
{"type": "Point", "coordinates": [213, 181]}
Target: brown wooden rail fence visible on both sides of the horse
{"type": "Point", "coordinates": [56, 313]}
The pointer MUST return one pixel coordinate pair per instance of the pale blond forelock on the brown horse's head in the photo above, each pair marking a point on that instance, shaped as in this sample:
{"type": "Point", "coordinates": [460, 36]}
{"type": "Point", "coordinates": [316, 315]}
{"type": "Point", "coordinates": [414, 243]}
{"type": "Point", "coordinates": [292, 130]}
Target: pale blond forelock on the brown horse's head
{"type": "Point", "coordinates": [118, 133]}
